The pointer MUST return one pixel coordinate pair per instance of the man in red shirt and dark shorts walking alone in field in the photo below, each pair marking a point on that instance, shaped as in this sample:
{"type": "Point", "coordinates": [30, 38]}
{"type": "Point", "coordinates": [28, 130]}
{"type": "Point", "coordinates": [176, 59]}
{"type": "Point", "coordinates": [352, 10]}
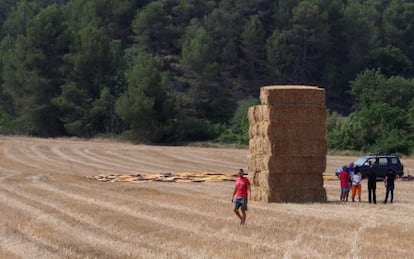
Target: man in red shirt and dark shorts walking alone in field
{"type": "Point", "coordinates": [240, 196]}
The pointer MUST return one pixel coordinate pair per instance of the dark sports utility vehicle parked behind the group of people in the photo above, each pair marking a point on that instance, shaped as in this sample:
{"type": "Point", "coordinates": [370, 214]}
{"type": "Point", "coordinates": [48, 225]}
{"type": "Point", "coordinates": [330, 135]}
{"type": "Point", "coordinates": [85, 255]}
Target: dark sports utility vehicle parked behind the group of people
{"type": "Point", "coordinates": [381, 164]}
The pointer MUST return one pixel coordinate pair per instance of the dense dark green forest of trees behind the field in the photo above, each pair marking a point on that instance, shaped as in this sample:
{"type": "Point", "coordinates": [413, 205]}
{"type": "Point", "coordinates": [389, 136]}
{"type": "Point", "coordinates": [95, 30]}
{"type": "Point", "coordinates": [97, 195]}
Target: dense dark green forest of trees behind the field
{"type": "Point", "coordinates": [173, 71]}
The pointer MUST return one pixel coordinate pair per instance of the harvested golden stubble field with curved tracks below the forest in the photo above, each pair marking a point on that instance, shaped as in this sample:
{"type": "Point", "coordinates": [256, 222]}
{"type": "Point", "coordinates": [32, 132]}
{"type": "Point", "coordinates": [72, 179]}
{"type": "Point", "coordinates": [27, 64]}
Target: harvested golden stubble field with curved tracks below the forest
{"type": "Point", "coordinates": [49, 209]}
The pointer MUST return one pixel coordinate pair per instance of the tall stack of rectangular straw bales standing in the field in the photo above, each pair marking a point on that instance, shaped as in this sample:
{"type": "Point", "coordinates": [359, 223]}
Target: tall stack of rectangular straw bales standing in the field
{"type": "Point", "coordinates": [287, 144]}
